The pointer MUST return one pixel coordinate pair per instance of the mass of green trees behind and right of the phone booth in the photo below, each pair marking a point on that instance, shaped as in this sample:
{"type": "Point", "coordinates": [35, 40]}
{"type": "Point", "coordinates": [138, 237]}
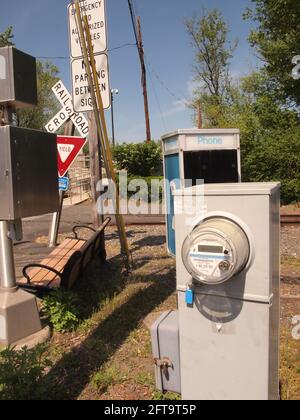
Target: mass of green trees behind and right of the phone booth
{"type": "Point", "coordinates": [256, 104]}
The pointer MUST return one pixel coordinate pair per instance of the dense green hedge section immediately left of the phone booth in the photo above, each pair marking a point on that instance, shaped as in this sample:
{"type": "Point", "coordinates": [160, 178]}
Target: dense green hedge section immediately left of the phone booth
{"type": "Point", "coordinates": [141, 159]}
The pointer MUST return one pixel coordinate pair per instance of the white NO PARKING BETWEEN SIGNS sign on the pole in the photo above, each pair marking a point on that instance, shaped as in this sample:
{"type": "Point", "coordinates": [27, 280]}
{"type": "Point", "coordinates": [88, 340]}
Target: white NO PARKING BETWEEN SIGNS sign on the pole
{"type": "Point", "coordinates": [81, 92]}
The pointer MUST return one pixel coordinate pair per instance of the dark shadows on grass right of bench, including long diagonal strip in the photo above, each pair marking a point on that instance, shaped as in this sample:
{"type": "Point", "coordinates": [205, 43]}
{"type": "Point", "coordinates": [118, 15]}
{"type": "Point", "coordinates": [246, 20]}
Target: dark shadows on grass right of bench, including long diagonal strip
{"type": "Point", "coordinates": [70, 376]}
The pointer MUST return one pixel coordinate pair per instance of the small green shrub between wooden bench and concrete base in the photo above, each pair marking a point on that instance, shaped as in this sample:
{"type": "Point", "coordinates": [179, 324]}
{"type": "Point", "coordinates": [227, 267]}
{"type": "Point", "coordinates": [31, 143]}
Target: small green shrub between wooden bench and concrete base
{"type": "Point", "coordinates": [61, 307]}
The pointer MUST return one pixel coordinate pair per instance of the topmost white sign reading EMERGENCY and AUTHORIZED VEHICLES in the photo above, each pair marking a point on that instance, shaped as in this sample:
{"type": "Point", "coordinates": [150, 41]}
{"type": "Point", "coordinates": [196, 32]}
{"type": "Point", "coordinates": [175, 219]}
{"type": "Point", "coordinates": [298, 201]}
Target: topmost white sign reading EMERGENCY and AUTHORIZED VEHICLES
{"type": "Point", "coordinates": [95, 12]}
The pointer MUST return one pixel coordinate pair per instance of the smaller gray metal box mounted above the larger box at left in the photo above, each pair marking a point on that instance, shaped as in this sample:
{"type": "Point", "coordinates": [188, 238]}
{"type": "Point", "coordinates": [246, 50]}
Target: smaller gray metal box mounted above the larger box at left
{"type": "Point", "coordinates": [18, 78]}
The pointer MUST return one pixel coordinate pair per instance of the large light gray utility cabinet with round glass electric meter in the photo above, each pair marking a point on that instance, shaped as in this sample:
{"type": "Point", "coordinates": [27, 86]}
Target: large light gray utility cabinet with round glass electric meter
{"type": "Point", "coordinates": [229, 334]}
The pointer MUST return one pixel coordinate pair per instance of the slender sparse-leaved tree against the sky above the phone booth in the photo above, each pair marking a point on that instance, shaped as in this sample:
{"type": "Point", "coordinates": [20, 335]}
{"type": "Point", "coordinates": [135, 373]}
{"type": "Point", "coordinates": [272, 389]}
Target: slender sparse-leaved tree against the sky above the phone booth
{"type": "Point", "coordinates": [209, 39]}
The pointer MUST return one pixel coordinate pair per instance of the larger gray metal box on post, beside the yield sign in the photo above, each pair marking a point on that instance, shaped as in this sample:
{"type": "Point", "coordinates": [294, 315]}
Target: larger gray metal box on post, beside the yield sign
{"type": "Point", "coordinates": [28, 173]}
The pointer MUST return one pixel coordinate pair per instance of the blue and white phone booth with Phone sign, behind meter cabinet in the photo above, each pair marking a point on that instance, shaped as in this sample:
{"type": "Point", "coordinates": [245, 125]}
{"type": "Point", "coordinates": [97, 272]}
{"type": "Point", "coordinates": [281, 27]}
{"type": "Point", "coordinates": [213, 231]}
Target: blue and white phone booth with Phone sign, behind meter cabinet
{"type": "Point", "coordinates": [212, 155]}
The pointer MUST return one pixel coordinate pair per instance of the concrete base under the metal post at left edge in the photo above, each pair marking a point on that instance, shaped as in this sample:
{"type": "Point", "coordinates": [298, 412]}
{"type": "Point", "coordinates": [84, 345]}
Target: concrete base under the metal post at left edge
{"type": "Point", "coordinates": [19, 317]}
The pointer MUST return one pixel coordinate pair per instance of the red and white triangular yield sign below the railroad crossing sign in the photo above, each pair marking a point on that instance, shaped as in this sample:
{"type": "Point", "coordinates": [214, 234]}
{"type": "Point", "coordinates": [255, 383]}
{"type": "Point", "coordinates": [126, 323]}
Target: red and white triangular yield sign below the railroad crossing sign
{"type": "Point", "coordinates": [68, 149]}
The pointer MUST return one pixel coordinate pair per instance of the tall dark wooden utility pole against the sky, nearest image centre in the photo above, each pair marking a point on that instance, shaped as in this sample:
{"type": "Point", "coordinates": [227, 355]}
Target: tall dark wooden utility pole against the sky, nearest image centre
{"type": "Point", "coordinates": [139, 42]}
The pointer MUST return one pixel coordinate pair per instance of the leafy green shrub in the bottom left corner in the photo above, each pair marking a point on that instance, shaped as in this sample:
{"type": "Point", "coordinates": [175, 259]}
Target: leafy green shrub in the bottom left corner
{"type": "Point", "coordinates": [21, 372]}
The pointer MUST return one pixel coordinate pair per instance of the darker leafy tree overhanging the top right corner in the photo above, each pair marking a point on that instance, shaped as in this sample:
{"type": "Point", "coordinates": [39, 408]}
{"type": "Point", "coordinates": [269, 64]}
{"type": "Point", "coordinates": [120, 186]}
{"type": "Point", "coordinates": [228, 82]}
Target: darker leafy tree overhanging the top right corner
{"type": "Point", "coordinates": [277, 41]}
